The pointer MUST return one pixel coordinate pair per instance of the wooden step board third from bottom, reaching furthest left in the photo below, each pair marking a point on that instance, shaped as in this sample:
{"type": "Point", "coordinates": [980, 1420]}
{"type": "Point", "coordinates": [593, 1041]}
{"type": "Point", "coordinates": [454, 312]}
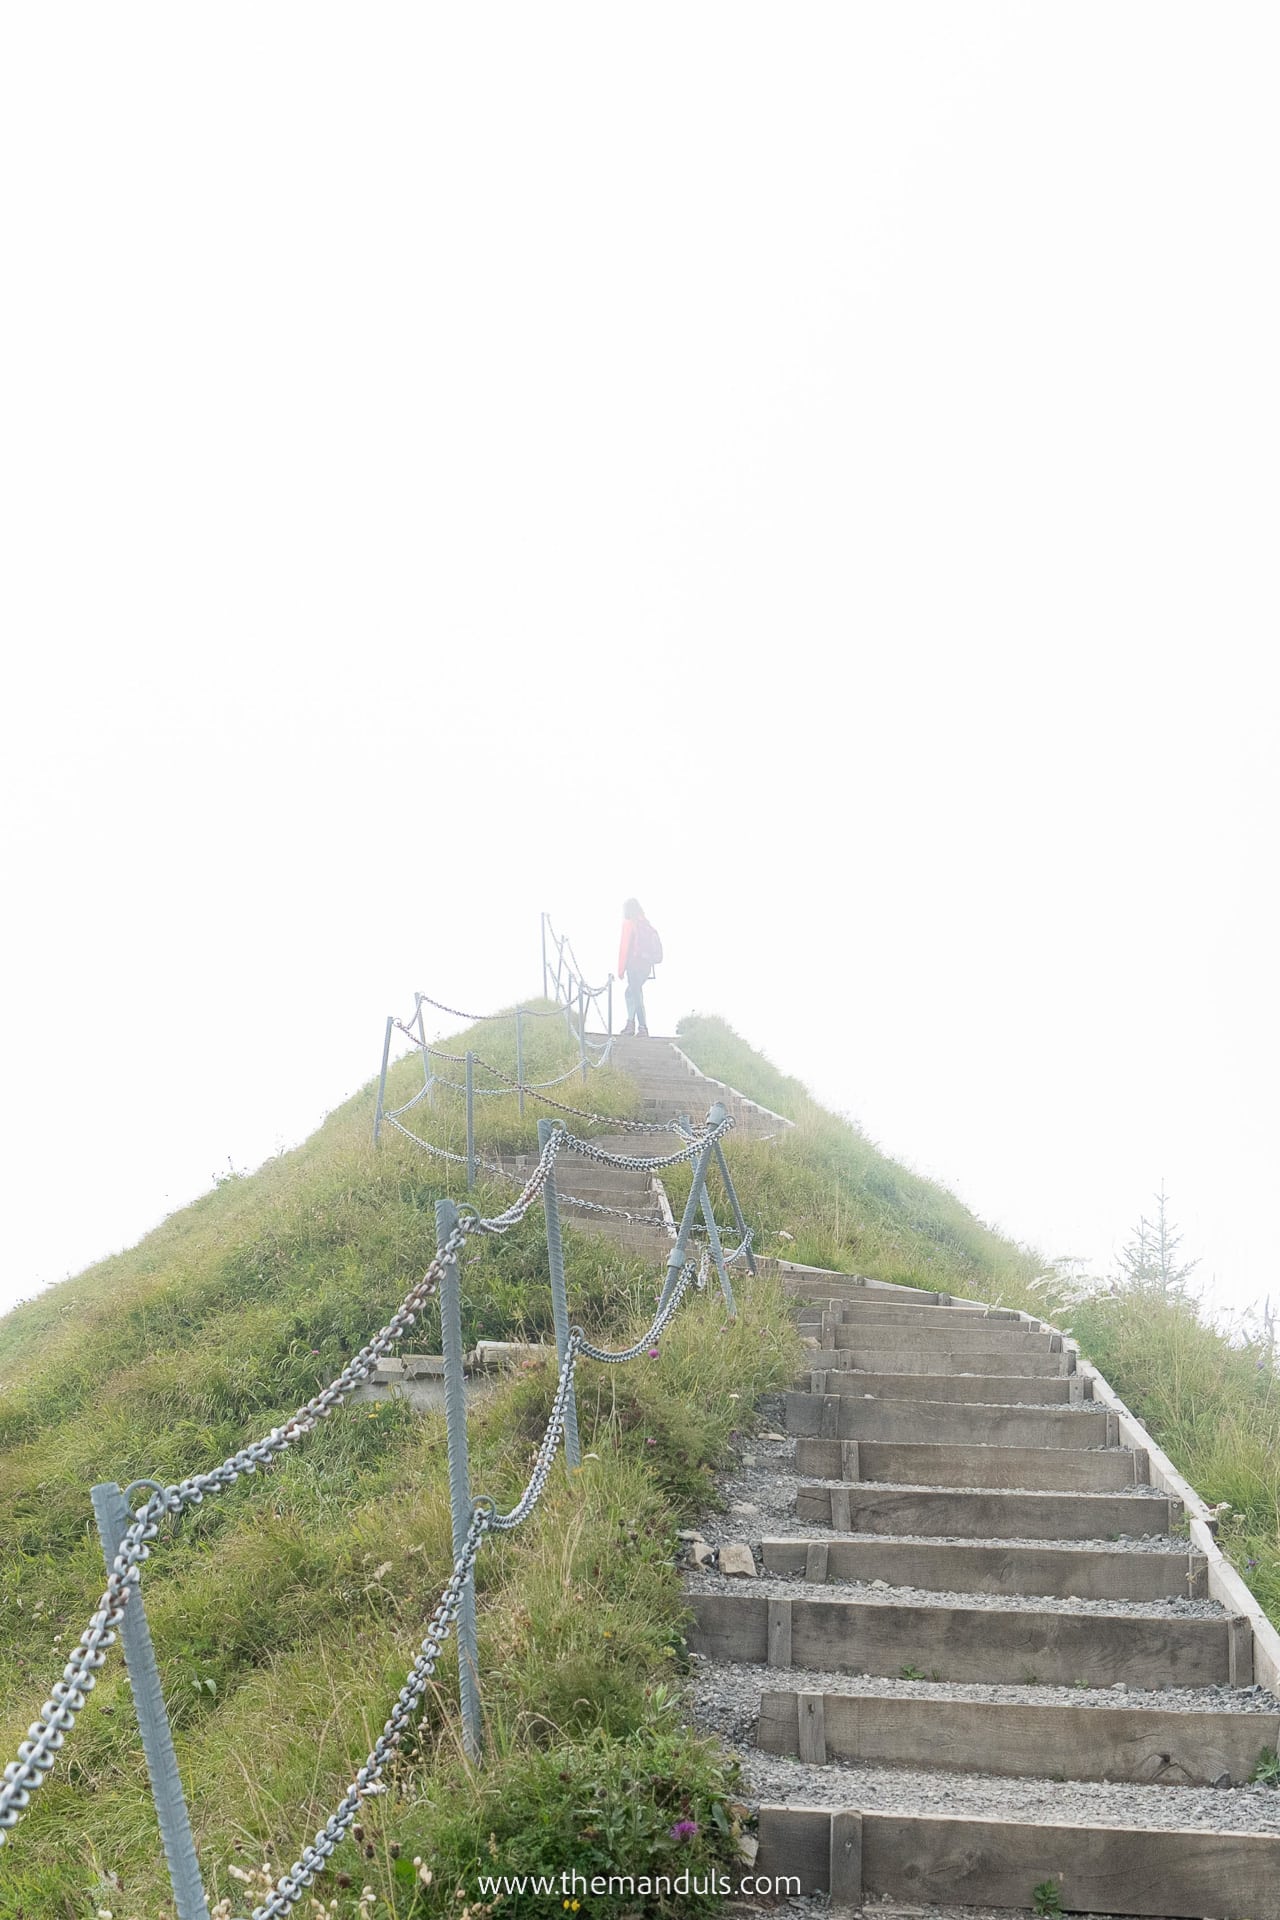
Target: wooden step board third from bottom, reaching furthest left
{"type": "Point", "coordinates": [951, 1643]}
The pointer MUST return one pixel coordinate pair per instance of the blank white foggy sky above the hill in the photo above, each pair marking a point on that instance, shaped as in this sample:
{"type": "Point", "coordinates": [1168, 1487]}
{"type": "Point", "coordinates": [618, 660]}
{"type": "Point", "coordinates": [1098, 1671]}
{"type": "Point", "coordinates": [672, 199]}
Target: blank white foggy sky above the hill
{"type": "Point", "coordinates": [811, 468]}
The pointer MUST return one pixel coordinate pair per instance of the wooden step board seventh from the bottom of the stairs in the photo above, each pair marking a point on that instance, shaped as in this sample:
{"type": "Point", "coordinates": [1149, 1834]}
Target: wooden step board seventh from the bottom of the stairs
{"type": "Point", "coordinates": [945, 1424]}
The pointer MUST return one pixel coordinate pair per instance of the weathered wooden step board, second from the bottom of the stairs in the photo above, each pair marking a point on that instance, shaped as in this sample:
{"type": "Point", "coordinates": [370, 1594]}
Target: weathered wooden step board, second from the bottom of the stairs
{"type": "Point", "coordinates": [1143, 1744]}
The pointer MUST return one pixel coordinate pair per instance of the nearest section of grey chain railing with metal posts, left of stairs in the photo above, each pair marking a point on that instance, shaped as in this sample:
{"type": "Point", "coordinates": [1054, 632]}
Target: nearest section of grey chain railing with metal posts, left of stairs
{"type": "Point", "coordinates": [130, 1541]}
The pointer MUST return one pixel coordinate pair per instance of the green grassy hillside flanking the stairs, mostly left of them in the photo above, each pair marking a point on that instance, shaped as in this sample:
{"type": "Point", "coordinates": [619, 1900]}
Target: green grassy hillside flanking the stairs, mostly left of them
{"type": "Point", "coordinates": [287, 1612]}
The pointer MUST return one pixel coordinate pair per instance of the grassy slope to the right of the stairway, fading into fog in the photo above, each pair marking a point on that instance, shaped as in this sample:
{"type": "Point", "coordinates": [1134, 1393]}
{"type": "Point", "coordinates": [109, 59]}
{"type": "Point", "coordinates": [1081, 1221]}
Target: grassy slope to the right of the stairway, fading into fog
{"type": "Point", "coordinates": [1216, 1408]}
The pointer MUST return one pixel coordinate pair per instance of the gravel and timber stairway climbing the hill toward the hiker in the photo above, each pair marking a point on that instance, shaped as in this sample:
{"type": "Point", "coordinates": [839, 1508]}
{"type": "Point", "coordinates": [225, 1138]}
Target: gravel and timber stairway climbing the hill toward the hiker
{"type": "Point", "coordinates": [989, 1656]}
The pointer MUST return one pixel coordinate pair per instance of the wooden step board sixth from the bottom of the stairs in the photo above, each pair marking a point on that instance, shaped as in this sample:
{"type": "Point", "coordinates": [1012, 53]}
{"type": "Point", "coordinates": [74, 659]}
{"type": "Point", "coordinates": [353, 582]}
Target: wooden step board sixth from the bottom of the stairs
{"type": "Point", "coordinates": [924, 1464]}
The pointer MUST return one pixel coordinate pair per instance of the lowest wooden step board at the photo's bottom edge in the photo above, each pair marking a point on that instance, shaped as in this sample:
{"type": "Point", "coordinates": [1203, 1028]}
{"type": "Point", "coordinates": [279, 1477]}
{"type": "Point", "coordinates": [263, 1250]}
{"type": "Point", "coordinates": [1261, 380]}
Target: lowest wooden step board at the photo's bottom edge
{"type": "Point", "coordinates": [957, 1860]}
